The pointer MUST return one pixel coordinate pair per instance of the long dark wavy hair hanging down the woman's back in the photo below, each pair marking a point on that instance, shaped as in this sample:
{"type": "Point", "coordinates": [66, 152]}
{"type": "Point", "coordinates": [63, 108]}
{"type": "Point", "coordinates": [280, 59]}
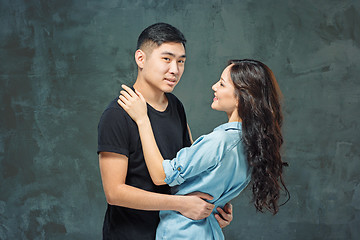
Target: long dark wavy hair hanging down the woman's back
{"type": "Point", "coordinates": [260, 111]}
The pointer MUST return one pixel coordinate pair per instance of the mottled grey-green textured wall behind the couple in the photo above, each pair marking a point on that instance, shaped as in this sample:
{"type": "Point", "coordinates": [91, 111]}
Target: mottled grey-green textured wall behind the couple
{"type": "Point", "coordinates": [62, 61]}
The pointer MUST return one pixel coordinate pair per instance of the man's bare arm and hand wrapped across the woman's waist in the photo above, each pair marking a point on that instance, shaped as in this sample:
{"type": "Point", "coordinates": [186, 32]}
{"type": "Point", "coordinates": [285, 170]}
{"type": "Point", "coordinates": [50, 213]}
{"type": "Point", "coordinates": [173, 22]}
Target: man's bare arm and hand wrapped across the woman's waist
{"type": "Point", "coordinates": [113, 168]}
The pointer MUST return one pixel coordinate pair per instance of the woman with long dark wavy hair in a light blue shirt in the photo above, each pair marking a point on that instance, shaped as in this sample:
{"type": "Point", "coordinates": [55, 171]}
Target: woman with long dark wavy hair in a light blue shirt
{"type": "Point", "coordinates": [222, 163]}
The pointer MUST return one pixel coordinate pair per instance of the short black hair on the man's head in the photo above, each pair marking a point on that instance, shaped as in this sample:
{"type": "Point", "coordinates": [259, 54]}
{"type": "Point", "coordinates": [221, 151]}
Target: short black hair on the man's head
{"type": "Point", "coordinates": [160, 33]}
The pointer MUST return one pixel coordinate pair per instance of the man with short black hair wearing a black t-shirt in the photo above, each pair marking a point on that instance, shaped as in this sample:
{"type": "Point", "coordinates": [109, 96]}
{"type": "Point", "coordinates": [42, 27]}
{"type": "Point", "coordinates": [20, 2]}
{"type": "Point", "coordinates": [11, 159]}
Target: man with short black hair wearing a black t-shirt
{"type": "Point", "coordinates": [133, 199]}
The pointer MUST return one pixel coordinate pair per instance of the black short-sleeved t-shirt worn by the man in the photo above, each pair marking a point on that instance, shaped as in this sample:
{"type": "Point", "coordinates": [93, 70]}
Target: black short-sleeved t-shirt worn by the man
{"type": "Point", "coordinates": [118, 133]}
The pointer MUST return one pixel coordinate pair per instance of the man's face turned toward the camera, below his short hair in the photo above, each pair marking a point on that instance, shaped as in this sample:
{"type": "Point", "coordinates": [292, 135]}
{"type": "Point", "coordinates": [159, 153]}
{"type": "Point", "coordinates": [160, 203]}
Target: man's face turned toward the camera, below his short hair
{"type": "Point", "coordinates": [164, 66]}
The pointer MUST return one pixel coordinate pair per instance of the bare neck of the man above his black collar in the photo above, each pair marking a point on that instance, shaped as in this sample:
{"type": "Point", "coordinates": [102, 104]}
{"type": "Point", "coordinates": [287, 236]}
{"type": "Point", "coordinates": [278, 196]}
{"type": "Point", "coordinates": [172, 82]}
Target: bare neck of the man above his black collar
{"type": "Point", "coordinates": [153, 96]}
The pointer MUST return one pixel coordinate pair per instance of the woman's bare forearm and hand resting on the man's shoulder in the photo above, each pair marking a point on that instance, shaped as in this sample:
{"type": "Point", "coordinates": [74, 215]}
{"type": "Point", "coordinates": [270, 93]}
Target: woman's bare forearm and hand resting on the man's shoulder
{"type": "Point", "coordinates": [135, 105]}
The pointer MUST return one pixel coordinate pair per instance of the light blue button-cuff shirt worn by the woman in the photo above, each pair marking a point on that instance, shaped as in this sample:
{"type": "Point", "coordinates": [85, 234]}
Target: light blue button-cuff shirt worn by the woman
{"type": "Point", "coordinates": [215, 164]}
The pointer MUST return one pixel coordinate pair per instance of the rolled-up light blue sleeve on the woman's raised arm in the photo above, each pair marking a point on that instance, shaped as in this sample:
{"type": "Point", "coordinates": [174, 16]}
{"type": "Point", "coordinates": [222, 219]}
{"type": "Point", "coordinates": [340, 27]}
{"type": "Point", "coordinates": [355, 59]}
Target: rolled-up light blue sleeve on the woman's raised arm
{"type": "Point", "coordinates": [203, 155]}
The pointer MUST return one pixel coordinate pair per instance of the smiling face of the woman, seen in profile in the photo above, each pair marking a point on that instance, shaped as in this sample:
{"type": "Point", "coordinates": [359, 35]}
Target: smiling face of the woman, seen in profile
{"type": "Point", "coordinates": [224, 91]}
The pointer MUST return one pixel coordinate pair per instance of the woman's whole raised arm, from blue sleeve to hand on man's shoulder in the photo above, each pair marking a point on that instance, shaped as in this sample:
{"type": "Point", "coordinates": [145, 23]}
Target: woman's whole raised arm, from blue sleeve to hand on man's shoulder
{"type": "Point", "coordinates": [204, 154]}
